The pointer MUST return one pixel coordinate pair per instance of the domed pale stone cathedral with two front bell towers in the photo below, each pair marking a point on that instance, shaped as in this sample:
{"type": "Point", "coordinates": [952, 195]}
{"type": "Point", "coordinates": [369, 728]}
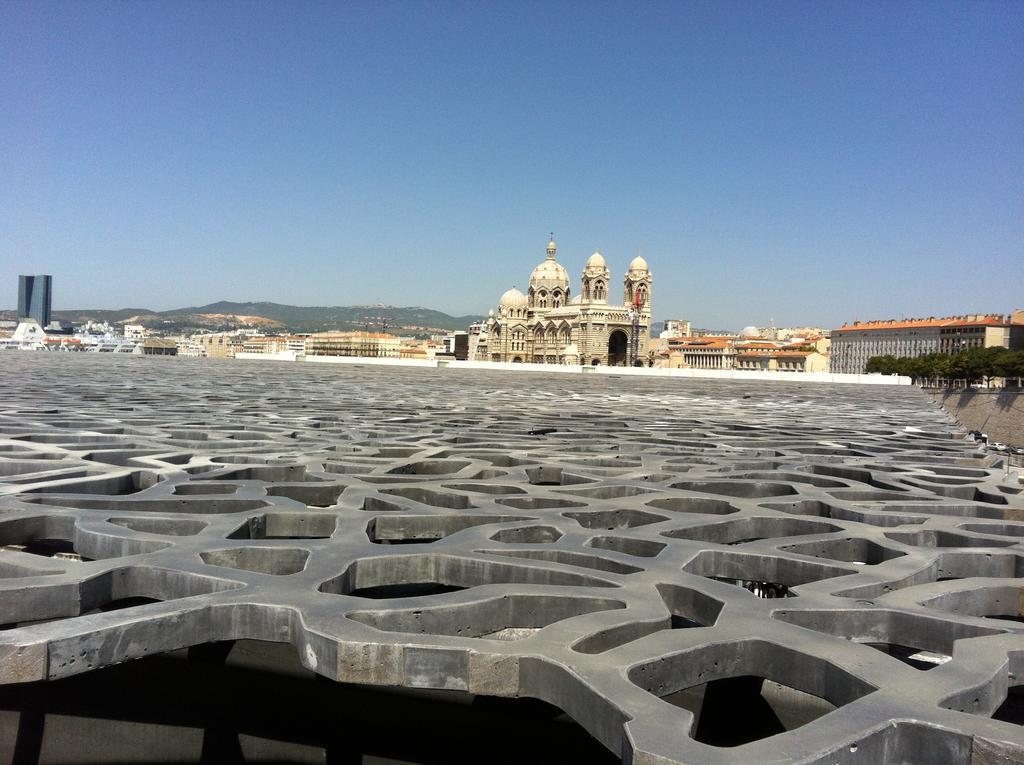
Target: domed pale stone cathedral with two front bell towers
{"type": "Point", "coordinates": [549, 325]}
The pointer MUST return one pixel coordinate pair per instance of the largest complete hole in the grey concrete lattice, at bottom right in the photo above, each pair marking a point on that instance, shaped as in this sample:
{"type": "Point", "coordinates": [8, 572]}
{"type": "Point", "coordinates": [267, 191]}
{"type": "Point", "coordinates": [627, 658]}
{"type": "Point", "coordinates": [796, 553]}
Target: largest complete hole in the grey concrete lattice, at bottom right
{"type": "Point", "coordinates": [778, 689]}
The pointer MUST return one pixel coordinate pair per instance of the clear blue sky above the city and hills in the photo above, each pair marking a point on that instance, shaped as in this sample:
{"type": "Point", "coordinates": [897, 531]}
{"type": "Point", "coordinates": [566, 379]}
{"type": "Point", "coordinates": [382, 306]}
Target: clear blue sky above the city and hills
{"type": "Point", "coordinates": [807, 162]}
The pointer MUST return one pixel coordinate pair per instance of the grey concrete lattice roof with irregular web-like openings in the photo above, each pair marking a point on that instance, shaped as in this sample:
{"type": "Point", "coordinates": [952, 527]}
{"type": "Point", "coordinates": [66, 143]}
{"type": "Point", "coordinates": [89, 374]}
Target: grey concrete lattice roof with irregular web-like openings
{"type": "Point", "coordinates": [697, 572]}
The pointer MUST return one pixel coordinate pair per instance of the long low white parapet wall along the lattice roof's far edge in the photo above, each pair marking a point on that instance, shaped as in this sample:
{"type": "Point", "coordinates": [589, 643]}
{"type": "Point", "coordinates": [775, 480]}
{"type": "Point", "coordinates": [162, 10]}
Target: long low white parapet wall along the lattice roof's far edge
{"type": "Point", "coordinates": [801, 377]}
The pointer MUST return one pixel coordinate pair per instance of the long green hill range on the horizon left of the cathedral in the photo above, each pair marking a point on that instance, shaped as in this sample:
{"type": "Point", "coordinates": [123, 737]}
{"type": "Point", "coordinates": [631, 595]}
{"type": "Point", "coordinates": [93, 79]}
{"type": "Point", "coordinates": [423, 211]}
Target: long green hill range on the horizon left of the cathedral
{"type": "Point", "coordinates": [276, 317]}
